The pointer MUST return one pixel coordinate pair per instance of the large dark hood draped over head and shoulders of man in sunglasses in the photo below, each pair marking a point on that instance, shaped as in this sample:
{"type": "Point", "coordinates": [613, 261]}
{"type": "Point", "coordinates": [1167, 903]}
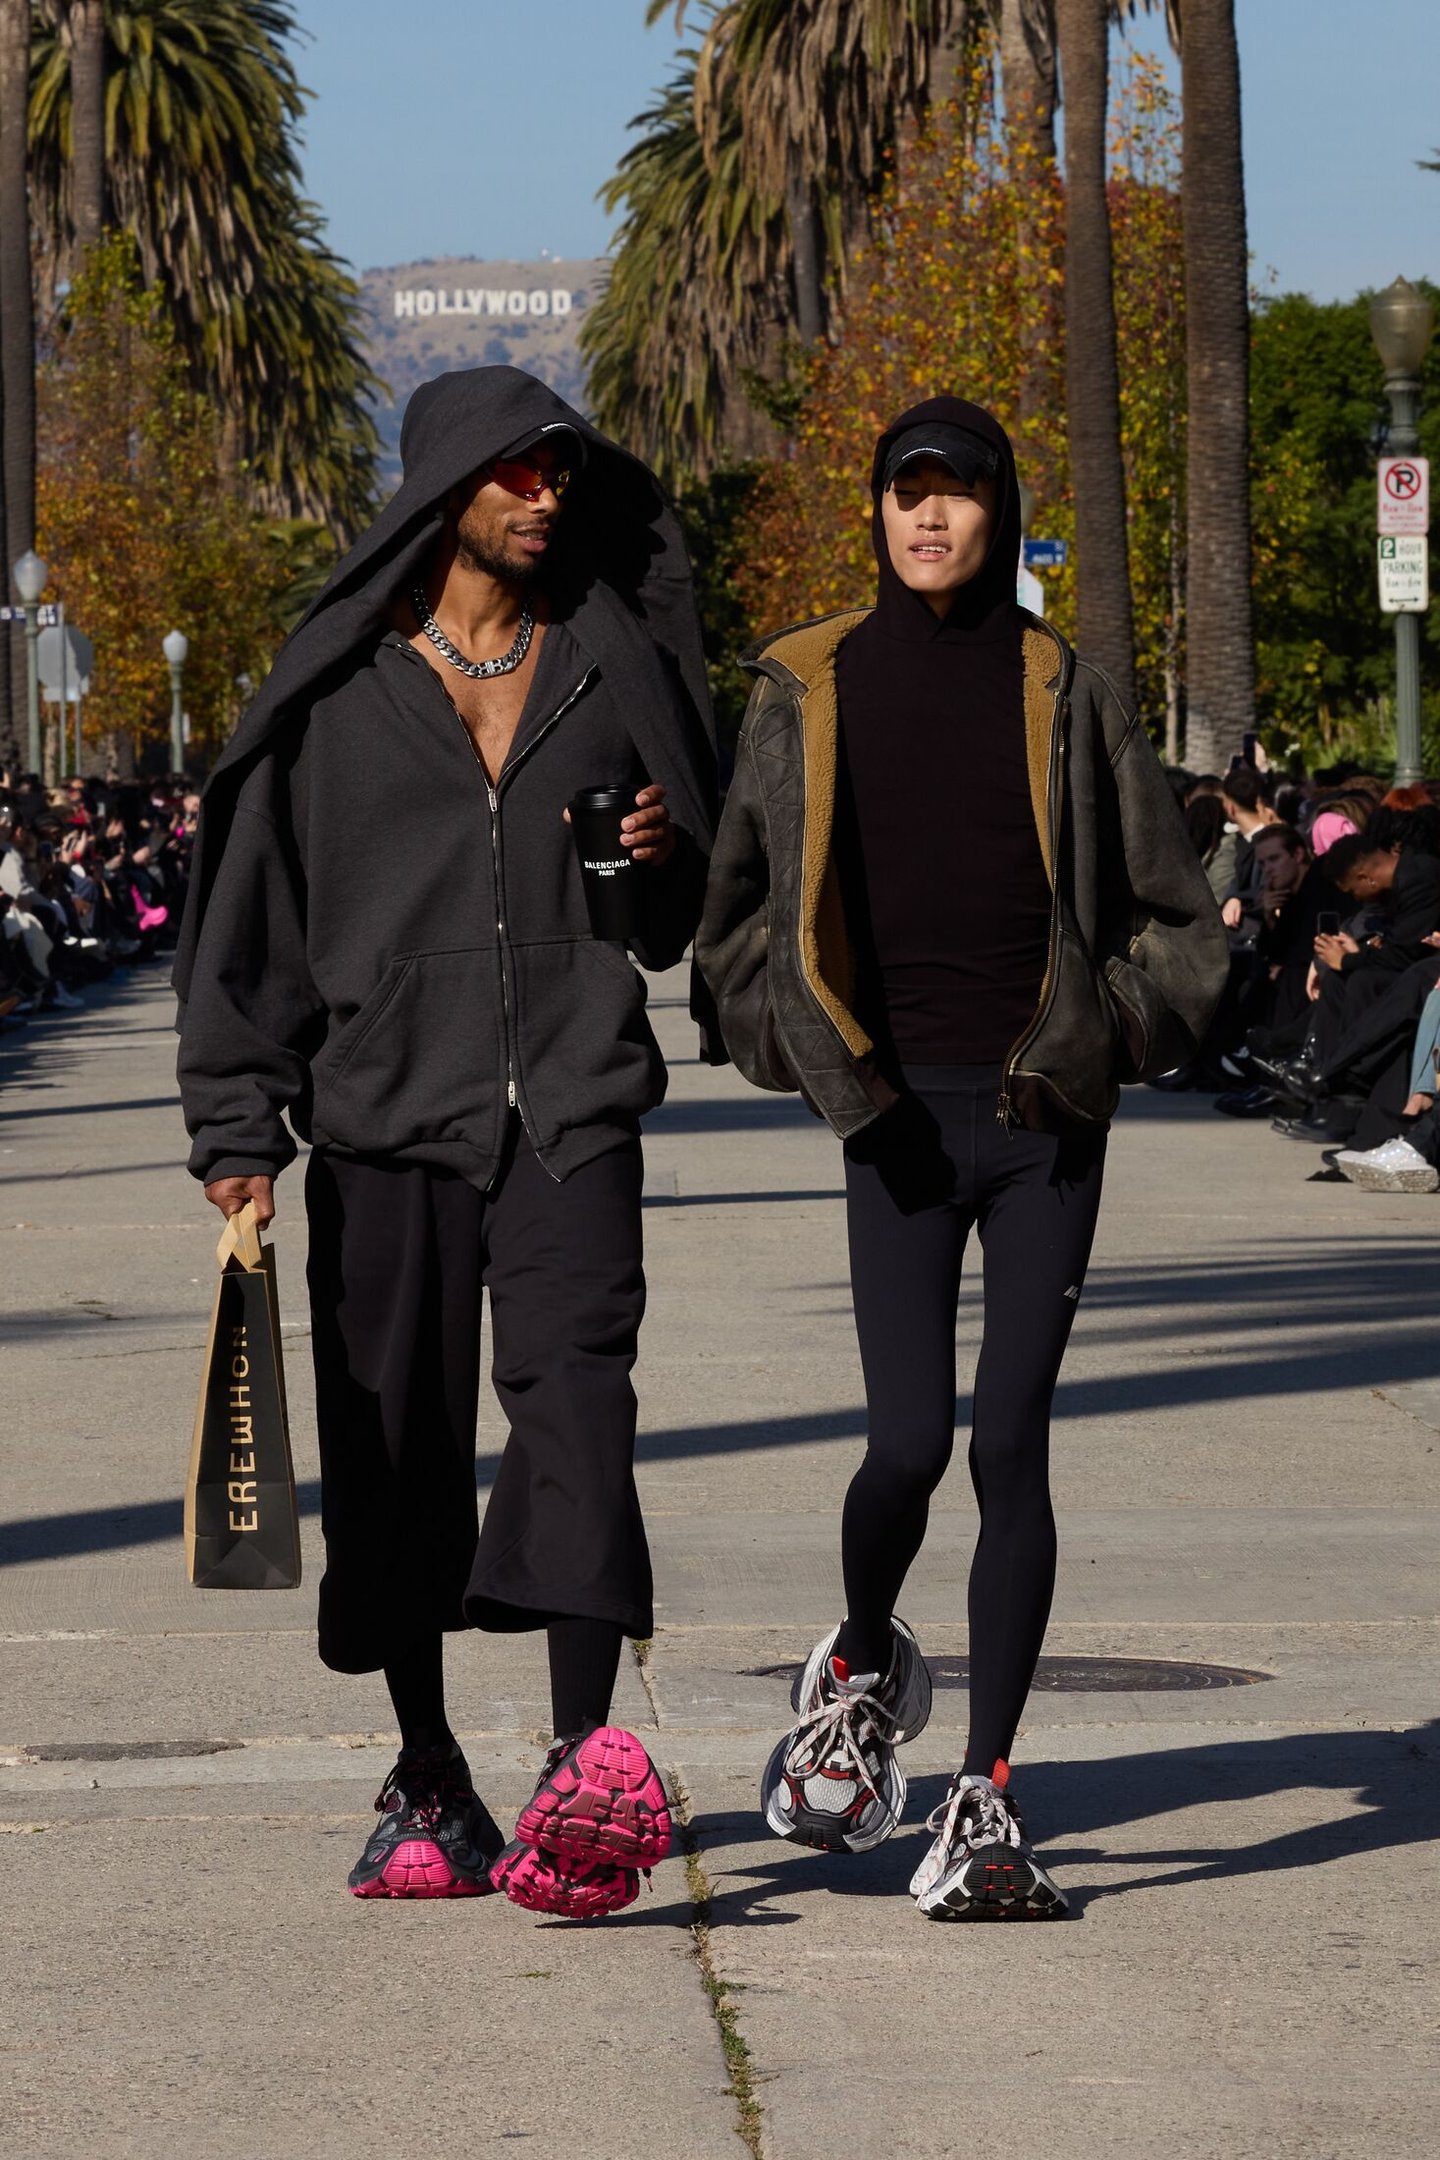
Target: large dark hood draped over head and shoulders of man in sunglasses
{"type": "Point", "coordinates": [619, 571]}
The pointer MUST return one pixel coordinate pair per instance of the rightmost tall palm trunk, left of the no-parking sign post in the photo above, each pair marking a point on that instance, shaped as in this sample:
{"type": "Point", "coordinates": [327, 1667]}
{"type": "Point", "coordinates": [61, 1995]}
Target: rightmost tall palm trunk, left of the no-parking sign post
{"type": "Point", "coordinates": [1219, 619]}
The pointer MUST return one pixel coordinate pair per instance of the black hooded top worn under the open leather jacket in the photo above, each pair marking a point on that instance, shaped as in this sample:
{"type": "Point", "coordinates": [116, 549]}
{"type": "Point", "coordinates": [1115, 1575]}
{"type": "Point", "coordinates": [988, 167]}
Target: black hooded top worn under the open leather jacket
{"type": "Point", "coordinates": [942, 861]}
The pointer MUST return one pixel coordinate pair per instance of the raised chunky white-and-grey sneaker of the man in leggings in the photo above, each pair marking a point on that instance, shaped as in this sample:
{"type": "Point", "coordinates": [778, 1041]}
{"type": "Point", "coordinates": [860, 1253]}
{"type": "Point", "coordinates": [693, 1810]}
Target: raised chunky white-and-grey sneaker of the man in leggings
{"type": "Point", "coordinates": [834, 1781]}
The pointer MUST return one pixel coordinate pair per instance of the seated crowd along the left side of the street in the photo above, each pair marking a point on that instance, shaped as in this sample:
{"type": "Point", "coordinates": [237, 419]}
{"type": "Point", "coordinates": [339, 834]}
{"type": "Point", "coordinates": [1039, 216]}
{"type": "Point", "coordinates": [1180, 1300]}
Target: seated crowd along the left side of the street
{"type": "Point", "coordinates": [92, 876]}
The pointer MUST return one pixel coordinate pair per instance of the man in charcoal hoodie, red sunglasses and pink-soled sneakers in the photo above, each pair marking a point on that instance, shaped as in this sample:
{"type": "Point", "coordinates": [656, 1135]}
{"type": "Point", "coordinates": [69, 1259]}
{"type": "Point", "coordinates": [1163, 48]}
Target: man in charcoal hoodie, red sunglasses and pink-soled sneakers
{"type": "Point", "coordinates": [390, 945]}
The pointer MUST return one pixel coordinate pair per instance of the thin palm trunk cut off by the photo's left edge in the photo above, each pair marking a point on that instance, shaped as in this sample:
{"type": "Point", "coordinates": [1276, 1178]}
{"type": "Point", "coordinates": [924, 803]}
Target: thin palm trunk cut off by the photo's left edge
{"type": "Point", "coordinates": [16, 325]}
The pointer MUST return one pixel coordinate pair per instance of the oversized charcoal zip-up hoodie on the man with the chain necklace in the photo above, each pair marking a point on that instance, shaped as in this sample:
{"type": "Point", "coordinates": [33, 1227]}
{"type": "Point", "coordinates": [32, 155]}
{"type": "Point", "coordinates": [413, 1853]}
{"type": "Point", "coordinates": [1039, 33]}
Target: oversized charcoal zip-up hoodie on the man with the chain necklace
{"type": "Point", "coordinates": [394, 954]}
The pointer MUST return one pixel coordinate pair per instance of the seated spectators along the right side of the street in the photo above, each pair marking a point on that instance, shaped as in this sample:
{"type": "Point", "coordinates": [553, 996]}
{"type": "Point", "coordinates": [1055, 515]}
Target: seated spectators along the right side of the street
{"type": "Point", "coordinates": [1331, 1021]}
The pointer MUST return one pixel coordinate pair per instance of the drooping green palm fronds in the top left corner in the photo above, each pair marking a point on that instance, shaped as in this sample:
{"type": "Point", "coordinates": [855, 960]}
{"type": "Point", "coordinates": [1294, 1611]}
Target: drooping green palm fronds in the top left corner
{"type": "Point", "coordinates": [202, 103]}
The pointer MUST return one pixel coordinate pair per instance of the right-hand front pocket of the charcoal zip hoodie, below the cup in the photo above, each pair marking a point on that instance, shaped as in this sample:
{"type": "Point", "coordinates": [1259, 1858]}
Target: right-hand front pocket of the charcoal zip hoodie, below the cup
{"type": "Point", "coordinates": [584, 1047]}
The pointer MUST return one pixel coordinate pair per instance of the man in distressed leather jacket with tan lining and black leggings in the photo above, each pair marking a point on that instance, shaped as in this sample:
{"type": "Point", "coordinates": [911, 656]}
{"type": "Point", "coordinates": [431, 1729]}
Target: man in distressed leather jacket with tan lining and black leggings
{"type": "Point", "coordinates": [957, 980]}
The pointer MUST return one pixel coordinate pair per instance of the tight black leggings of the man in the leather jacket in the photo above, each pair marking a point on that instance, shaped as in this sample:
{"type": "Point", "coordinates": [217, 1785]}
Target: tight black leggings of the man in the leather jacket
{"type": "Point", "coordinates": [916, 1183]}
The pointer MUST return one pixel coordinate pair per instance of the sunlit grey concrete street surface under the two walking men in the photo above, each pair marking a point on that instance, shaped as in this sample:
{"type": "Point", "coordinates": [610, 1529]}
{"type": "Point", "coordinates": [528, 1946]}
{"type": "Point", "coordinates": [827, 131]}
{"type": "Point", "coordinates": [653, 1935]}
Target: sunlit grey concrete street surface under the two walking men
{"type": "Point", "coordinates": [1247, 1455]}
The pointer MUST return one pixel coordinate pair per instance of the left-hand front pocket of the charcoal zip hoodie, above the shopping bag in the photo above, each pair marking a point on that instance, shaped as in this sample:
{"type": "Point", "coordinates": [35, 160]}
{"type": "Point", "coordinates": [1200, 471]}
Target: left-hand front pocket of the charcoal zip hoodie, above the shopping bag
{"type": "Point", "coordinates": [424, 1059]}
